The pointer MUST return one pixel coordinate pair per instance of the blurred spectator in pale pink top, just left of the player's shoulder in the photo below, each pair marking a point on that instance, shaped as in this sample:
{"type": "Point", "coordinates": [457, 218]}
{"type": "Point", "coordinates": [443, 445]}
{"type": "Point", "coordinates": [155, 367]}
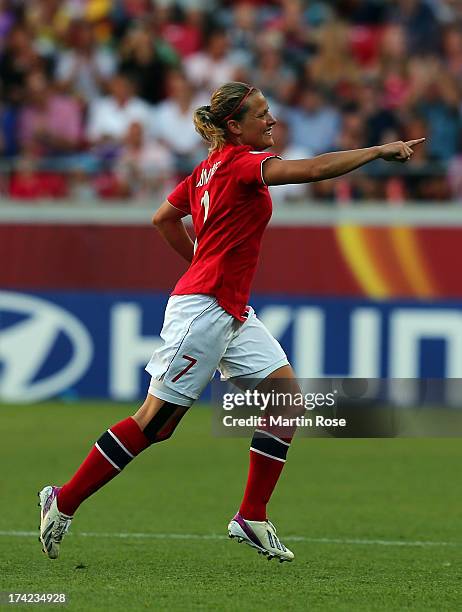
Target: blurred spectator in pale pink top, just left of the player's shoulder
{"type": "Point", "coordinates": [145, 168]}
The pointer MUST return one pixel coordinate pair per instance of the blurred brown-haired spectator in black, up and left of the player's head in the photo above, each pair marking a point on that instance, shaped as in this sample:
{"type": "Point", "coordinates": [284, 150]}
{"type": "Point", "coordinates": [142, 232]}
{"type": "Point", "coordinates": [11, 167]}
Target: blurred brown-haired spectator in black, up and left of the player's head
{"type": "Point", "coordinates": [145, 65]}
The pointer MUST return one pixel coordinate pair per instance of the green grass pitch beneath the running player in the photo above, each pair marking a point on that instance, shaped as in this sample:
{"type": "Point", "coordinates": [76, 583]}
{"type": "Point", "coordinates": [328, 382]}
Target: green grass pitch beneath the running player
{"type": "Point", "coordinates": [374, 524]}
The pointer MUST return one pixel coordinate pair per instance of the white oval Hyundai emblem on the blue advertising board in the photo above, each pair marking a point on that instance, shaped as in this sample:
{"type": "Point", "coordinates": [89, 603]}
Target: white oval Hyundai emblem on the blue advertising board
{"type": "Point", "coordinates": [26, 345]}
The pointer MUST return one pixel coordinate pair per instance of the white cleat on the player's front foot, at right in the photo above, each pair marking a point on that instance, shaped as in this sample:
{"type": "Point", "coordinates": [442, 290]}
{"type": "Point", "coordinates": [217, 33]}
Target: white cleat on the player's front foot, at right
{"type": "Point", "coordinates": [260, 535]}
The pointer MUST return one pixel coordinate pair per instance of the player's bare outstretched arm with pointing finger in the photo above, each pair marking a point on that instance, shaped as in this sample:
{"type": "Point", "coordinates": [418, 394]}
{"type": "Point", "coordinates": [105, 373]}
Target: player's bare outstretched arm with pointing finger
{"type": "Point", "coordinates": [329, 165]}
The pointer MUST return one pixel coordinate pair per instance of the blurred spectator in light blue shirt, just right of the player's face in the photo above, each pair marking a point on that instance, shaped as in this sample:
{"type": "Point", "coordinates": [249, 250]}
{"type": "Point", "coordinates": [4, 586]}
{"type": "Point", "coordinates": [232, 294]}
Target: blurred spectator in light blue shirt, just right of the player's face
{"type": "Point", "coordinates": [314, 123]}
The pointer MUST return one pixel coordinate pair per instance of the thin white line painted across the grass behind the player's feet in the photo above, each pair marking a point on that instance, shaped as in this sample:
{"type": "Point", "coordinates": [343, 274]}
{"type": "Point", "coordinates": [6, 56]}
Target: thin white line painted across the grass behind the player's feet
{"type": "Point", "coordinates": [195, 536]}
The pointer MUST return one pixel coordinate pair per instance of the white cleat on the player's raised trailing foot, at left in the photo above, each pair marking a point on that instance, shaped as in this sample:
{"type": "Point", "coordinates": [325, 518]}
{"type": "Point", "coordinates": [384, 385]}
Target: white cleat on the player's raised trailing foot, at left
{"type": "Point", "coordinates": [53, 523]}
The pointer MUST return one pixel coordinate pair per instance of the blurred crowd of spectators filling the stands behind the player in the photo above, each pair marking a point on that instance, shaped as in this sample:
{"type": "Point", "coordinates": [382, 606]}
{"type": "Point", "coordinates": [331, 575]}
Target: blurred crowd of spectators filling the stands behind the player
{"type": "Point", "coordinates": [96, 96]}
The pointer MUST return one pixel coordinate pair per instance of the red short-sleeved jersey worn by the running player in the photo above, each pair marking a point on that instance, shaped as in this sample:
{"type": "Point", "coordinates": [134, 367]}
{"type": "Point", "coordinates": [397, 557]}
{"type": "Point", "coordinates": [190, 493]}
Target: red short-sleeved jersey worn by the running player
{"type": "Point", "coordinates": [230, 207]}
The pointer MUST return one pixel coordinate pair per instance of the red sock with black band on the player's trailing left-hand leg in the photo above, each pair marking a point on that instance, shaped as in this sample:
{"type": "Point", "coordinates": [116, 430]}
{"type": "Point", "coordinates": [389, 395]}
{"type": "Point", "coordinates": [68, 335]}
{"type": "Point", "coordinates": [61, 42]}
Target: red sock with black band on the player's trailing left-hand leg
{"type": "Point", "coordinates": [111, 453]}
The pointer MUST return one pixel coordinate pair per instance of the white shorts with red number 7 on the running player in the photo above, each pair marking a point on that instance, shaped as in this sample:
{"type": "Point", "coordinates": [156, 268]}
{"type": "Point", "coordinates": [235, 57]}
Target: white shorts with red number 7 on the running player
{"type": "Point", "coordinates": [199, 338]}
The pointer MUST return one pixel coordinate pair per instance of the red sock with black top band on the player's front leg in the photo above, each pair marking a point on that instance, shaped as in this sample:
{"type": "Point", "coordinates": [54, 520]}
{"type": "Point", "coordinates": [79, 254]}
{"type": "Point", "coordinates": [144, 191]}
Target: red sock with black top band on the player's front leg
{"type": "Point", "coordinates": [267, 458]}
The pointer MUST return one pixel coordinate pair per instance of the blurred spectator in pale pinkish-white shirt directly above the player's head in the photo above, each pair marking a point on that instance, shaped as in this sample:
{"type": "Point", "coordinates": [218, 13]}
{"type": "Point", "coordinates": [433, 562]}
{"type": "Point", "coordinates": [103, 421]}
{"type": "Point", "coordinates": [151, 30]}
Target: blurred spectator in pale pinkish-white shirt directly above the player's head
{"type": "Point", "coordinates": [210, 68]}
